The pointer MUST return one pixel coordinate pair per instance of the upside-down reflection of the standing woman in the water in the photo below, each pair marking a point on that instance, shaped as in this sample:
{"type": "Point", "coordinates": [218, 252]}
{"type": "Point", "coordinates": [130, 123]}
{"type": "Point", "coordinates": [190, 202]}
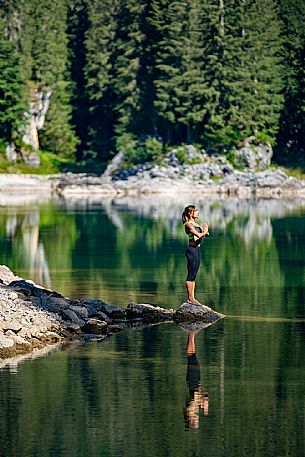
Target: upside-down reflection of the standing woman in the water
{"type": "Point", "coordinates": [196, 401]}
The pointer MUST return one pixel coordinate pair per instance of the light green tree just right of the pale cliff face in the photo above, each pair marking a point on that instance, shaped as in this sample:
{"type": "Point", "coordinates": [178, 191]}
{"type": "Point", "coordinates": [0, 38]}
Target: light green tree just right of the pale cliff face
{"type": "Point", "coordinates": [50, 72]}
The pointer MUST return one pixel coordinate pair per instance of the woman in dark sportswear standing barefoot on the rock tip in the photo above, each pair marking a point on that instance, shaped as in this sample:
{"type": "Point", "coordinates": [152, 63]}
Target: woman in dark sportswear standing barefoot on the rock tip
{"type": "Point", "coordinates": [192, 253]}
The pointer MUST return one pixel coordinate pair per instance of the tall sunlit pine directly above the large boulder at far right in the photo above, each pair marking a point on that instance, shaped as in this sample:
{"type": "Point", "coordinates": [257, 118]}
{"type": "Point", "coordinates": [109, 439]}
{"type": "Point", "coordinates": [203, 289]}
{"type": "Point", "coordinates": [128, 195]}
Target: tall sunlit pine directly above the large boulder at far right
{"type": "Point", "coordinates": [265, 63]}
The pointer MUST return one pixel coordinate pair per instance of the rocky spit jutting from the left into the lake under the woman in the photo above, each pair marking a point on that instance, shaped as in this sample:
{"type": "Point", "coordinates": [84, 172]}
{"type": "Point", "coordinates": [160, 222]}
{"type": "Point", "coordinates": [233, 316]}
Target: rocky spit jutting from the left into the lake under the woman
{"type": "Point", "coordinates": [33, 318]}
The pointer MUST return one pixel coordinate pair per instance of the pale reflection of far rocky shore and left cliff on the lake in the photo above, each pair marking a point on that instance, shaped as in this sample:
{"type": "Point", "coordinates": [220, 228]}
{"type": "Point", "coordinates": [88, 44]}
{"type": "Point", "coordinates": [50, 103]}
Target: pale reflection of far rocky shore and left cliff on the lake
{"type": "Point", "coordinates": [254, 215]}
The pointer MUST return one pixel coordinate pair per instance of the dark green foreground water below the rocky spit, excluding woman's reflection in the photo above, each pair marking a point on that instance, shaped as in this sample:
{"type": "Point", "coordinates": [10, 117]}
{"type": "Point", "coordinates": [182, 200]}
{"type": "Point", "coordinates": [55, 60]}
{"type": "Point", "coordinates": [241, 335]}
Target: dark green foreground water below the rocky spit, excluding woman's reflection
{"type": "Point", "coordinates": [128, 393]}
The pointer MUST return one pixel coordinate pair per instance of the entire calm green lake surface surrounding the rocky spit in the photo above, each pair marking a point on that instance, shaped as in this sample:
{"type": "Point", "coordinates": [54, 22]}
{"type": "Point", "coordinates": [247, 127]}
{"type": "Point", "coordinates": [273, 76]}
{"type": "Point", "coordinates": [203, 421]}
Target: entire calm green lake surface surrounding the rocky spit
{"type": "Point", "coordinates": [139, 394]}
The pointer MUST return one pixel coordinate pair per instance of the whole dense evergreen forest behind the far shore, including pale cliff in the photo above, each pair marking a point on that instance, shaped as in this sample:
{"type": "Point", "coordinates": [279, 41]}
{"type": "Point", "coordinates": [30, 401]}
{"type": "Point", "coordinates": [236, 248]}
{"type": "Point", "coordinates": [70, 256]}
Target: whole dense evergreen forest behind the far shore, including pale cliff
{"type": "Point", "coordinates": [85, 78]}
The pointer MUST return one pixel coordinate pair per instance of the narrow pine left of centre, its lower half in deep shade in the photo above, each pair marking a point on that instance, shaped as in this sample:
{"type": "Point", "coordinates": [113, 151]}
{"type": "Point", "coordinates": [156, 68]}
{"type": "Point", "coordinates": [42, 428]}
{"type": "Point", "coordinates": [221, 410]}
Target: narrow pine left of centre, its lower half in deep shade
{"type": "Point", "coordinates": [98, 72]}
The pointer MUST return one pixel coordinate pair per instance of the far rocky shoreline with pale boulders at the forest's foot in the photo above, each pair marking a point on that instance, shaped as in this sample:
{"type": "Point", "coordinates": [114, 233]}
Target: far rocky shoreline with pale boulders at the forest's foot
{"type": "Point", "coordinates": [180, 171]}
